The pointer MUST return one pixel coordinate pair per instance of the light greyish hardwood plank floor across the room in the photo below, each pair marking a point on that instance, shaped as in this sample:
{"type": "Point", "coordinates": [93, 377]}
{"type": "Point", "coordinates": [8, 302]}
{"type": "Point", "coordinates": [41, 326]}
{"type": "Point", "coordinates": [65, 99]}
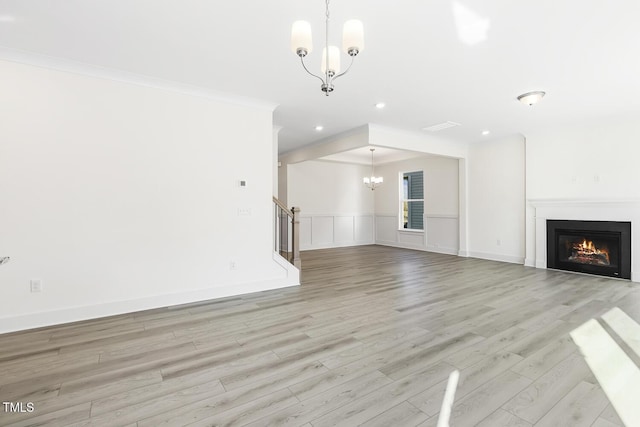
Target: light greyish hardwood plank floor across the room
{"type": "Point", "coordinates": [369, 338]}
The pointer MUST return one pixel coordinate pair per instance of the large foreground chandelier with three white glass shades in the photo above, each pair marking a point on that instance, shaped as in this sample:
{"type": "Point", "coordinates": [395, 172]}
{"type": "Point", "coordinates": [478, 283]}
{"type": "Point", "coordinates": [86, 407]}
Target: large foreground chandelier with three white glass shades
{"type": "Point", "coordinates": [352, 44]}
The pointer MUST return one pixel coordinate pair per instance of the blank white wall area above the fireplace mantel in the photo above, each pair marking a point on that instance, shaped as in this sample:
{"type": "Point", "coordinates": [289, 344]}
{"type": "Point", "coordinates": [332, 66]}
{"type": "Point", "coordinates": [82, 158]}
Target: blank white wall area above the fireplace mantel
{"type": "Point", "coordinates": [587, 161]}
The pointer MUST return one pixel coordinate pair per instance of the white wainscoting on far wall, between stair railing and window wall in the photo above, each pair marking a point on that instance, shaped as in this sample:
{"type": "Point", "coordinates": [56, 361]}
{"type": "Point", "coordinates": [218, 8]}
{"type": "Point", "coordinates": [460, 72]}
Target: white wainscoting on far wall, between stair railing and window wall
{"type": "Point", "coordinates": [332, 231]}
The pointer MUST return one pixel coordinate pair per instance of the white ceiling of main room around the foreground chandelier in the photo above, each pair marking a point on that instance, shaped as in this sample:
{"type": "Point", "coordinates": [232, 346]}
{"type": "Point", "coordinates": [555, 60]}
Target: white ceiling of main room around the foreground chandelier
{"type": "Point", "coordinates": [429, 61]}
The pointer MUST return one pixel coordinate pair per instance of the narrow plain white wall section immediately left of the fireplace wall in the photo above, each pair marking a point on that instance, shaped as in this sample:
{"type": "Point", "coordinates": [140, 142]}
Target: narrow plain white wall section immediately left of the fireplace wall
{"type": "Point", "coordinates": [496, 183]}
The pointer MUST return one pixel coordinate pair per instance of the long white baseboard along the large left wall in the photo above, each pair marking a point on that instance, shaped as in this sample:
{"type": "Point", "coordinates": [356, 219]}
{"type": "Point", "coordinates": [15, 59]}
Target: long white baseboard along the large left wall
{"type": "Point", "coordinates": [75, 314]}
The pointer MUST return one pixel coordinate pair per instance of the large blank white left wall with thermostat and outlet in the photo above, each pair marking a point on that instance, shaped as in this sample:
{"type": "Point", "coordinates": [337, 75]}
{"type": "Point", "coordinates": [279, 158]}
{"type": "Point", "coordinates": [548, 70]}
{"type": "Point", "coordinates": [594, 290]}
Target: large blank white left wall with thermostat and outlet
{"type": "Point", "coordinates": [121, 197]}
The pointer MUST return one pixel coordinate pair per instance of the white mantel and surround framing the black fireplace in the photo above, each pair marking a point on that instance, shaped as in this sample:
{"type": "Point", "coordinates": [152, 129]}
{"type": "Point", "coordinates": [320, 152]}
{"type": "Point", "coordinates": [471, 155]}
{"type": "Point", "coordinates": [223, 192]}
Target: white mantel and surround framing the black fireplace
{"type": "Point", "coordinates": [583, 210]}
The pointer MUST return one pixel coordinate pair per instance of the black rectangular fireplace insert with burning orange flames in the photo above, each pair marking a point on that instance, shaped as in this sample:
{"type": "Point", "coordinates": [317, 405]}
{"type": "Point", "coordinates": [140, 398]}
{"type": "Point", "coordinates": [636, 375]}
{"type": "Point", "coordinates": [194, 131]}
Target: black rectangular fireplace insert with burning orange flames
{"type": "Point", "coordinates": [595, 247]}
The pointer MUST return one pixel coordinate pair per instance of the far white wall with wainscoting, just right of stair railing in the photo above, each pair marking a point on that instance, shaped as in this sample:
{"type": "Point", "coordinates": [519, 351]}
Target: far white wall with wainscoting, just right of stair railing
{"type": "Point", "coordinates": [337, 209]}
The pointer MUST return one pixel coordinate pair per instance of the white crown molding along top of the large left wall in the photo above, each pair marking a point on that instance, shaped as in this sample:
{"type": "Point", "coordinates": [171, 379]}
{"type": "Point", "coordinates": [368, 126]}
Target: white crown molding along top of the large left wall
{"type": "Point", "coordinates": [84, 69]}
